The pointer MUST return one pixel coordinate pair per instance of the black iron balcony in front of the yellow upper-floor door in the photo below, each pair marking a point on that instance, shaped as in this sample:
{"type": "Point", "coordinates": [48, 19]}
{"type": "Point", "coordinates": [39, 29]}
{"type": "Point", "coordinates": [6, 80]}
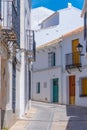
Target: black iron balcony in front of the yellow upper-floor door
{"type": "Point", "coordinates": [73, 60]}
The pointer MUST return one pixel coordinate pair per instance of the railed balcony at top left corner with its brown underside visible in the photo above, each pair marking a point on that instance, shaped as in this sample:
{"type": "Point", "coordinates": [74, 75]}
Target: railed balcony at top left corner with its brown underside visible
{"type": "Point", "coordinates": [9, 21]}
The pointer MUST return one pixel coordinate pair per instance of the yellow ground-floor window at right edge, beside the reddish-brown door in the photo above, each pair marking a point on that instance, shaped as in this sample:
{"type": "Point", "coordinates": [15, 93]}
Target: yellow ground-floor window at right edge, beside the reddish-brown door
{"type": "Point", "coordinates": [84, 87]}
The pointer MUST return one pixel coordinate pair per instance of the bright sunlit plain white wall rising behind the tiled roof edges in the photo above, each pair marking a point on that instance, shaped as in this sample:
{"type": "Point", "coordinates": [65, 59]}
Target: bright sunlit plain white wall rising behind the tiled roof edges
{"type": "Point", "coordinates": [69, 19]}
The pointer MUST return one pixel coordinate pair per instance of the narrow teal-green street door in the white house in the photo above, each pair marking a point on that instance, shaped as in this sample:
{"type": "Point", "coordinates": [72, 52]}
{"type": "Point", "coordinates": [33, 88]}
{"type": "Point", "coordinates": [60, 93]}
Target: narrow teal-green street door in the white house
{"type": "Point", "coordinates": [55, 90]}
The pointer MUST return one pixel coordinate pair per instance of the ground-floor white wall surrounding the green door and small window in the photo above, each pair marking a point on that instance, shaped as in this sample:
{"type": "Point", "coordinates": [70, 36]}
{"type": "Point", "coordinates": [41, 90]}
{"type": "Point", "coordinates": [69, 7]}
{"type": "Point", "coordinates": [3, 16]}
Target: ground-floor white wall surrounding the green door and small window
{"type": "Point", "coordinates": [45, 77]}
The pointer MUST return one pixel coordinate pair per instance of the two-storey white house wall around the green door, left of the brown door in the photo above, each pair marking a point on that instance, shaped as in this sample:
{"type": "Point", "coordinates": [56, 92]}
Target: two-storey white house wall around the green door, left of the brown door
{"type": "Point", "coordinates": [44, 74]}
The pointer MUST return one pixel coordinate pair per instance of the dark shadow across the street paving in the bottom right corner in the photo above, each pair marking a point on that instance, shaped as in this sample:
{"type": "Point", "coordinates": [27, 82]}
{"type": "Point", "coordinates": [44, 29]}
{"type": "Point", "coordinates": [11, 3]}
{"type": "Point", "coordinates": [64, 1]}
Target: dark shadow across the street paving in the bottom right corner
{"type": "Point", "coordinates": [78, 118]}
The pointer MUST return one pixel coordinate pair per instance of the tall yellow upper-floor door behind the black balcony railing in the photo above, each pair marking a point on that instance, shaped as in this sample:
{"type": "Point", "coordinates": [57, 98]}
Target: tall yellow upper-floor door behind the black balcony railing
{"type": "Point", "coordinates": [76, 56]}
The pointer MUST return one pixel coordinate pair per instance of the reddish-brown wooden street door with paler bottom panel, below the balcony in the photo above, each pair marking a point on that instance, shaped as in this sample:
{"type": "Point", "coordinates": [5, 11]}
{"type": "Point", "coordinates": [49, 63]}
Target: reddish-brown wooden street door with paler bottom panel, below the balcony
{"type": "Point", "coordinates": [71, 89]}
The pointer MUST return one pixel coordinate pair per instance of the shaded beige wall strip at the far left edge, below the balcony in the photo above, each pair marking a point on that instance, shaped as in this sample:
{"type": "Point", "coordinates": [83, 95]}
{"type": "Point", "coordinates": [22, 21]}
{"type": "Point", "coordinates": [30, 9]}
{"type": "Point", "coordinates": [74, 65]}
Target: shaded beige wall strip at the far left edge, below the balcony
{"type": "Point", "coordinates": [3, 92]}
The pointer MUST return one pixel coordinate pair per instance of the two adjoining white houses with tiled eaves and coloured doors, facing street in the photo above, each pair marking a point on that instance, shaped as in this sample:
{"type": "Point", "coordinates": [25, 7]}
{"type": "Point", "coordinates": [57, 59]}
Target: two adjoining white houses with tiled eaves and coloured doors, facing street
{"type": "Point", "coordinates": [60, 73]}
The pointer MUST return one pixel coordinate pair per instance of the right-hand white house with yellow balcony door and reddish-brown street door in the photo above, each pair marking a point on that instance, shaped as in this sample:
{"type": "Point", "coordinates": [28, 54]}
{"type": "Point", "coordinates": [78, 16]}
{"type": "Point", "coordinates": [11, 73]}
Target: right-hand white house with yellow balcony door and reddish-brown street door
{"type": "Point", "coordinates": [74, 69]}
